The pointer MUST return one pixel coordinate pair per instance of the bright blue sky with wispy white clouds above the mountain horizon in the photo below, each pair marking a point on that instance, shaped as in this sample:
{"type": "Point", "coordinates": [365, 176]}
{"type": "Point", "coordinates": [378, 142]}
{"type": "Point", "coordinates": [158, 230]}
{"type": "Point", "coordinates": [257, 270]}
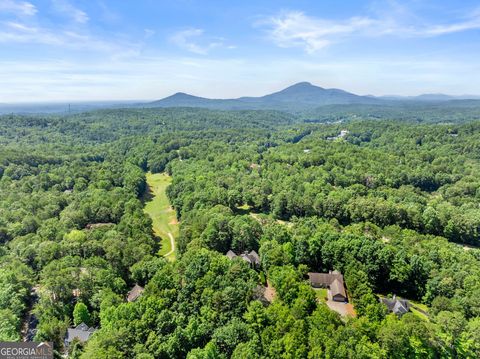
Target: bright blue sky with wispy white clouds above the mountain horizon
{"type": "Point", "coordinates": [67, 50]}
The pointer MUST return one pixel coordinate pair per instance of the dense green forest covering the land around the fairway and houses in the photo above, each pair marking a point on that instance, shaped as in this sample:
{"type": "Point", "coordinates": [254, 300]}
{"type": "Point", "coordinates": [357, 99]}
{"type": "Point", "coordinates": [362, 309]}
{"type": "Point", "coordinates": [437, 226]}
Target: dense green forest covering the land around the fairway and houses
{"type": "Point", "coordinates": [393, 203]}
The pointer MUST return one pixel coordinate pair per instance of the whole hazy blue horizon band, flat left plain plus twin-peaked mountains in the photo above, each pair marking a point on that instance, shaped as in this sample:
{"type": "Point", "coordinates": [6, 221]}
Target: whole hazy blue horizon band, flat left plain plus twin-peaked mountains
{"type": "Point", "coordinates": [300, 97]}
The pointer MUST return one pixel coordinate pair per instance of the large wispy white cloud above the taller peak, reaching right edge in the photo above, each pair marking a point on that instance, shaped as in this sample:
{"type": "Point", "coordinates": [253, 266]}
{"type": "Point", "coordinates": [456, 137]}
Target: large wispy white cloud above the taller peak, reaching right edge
{"type": "Point", "coordinates": [296, 29]}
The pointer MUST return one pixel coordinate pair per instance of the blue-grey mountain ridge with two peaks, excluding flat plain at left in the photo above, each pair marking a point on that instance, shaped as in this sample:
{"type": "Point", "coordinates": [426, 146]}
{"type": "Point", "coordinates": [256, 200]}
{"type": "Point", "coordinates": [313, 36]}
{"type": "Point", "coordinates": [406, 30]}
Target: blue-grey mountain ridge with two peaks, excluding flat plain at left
{"type": "Point", "coordinates": [298, 97]}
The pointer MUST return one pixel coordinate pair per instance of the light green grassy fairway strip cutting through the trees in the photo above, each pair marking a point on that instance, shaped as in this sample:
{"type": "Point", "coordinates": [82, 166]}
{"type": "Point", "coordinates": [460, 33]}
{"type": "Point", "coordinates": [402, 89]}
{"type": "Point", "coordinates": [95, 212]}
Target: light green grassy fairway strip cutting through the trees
{"type": "Point", "coordinates": [163, 216]}
